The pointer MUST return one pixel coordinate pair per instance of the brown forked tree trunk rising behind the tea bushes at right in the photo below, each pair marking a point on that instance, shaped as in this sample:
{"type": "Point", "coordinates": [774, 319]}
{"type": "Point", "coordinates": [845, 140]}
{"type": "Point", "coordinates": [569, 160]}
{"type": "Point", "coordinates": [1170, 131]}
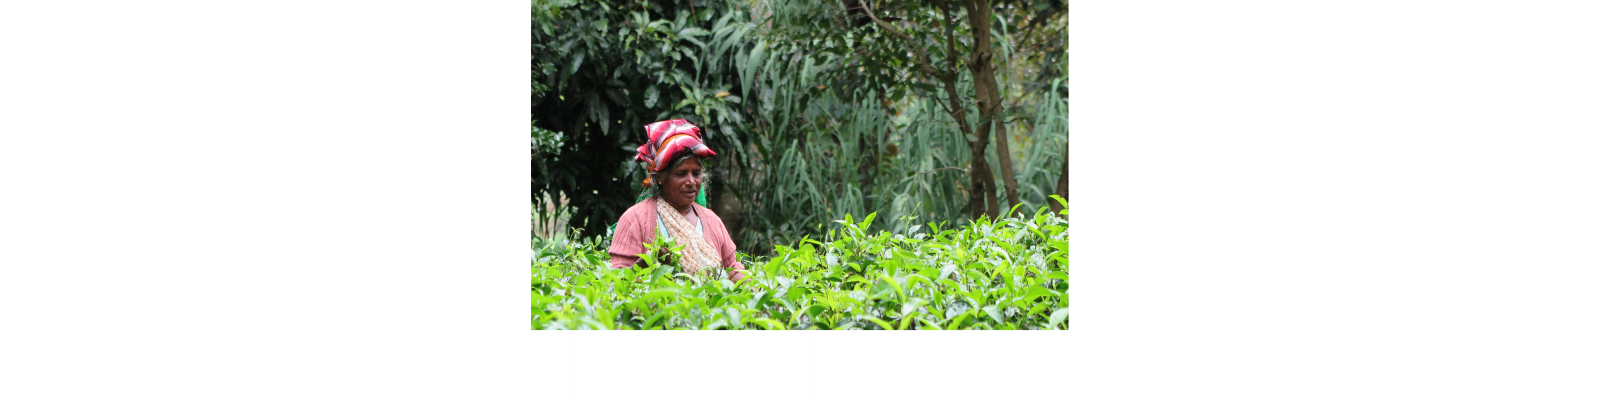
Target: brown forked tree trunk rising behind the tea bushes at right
{"type": "Point", "coordinates": [990, 108]}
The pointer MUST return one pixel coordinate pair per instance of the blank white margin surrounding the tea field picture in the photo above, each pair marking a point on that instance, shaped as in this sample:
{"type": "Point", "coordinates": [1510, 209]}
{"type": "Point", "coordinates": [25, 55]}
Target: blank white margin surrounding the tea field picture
{"type": "Point", "coordinates": [1271, 201]}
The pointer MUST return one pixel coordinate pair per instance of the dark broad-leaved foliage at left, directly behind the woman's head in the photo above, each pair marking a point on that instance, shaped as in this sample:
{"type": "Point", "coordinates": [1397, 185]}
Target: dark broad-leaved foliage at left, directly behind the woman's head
{"type": "Point", "coordinates": [601, 73]}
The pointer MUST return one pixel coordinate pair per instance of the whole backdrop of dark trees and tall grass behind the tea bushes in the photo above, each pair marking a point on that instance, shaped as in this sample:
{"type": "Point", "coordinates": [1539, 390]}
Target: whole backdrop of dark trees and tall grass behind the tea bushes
{"type": "Point", "coordinates": [817, 110]}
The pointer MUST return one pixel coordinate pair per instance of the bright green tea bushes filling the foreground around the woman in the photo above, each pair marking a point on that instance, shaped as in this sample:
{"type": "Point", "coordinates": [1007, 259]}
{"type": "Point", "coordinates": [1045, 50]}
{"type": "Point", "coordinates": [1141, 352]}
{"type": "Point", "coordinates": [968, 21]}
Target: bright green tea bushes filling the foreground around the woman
{"type": "Point", "coordinates": [1009, 274]}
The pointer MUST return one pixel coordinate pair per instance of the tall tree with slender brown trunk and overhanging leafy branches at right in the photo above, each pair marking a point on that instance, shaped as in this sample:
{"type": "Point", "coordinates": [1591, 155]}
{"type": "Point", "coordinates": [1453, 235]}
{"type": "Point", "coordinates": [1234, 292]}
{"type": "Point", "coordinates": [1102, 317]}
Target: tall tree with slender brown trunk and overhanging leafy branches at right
{"type": "Point", "coordinates": [935, 50]}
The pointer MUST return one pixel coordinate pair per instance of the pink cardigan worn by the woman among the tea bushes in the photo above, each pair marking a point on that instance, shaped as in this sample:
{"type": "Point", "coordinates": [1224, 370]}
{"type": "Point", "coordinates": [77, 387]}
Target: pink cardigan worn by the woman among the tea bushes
{"type": "Point", "coordinates": [638, 228]}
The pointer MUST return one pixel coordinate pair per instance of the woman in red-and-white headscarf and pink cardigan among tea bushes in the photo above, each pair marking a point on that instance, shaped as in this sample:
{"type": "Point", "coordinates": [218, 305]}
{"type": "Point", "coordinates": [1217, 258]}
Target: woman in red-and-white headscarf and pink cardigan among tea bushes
{"type": "Point", "coordinates": [673, 162]}
